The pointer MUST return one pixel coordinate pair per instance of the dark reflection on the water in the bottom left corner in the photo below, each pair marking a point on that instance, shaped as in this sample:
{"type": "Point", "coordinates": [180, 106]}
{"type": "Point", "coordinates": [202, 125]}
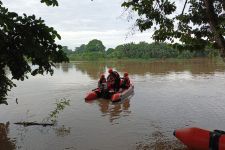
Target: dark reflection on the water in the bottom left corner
{"type": "Point", "coordinates": [5, 142]}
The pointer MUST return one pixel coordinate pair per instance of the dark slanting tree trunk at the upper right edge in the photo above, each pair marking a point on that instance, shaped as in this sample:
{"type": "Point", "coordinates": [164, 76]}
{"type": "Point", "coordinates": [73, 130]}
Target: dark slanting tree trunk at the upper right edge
{"type": "Point", "coordinates": [214, 26]}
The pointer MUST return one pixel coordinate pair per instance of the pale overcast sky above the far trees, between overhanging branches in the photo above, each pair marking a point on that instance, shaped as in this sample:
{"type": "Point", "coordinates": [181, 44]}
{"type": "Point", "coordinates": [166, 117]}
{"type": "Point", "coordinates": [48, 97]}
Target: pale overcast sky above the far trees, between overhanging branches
{"type": "Point", "coordinates": [79, 21]}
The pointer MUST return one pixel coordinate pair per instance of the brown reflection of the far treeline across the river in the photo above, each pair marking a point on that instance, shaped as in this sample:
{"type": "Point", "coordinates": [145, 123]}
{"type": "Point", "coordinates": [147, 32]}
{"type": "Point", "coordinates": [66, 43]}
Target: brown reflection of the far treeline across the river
{"type": "Point", "coordinates": [194, 66]}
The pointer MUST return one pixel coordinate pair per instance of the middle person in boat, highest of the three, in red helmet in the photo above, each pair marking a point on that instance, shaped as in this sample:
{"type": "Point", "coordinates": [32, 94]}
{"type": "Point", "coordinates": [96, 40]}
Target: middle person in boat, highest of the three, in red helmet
{"type": "Point", "coordinates": [113, 80]}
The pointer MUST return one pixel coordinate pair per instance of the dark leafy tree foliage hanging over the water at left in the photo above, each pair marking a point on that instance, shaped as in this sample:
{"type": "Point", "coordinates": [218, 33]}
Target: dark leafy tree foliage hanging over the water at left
{"type": "Point", "coordinates": [25, 41]}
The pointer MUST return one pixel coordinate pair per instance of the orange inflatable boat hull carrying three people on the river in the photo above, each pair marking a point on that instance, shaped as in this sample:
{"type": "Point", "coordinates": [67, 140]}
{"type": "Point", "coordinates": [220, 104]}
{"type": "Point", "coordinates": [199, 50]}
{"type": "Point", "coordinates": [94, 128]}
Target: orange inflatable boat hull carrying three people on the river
{"type": "Point", "coordinates": [120, 95]}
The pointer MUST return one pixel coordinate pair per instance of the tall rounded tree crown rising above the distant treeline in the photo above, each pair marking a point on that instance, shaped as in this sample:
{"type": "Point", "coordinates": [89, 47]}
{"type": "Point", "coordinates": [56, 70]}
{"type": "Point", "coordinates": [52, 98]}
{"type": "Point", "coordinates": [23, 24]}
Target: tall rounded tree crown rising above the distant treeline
{"type": "Point", "coordinates": [95, 45]}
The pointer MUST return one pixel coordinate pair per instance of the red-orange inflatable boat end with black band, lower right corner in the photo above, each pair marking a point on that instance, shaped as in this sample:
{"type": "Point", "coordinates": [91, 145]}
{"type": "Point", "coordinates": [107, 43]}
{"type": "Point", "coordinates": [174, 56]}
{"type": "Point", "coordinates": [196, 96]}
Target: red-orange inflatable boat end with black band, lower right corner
{"type": "Point", "coordinates": [200, 139]}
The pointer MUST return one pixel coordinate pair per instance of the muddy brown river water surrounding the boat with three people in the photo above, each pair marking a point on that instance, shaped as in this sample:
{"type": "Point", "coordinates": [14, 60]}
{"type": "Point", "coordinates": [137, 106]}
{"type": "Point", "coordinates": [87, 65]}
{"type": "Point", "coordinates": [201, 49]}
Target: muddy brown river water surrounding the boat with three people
{"type": "Point", "coordinates": [168, 95]}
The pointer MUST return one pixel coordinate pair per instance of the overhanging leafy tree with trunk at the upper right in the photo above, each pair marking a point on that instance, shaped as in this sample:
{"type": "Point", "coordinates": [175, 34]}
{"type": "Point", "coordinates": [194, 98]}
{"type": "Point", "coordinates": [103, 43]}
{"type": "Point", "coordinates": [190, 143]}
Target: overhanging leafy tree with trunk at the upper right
{"type": "Point", "coordinates": [198, 24]}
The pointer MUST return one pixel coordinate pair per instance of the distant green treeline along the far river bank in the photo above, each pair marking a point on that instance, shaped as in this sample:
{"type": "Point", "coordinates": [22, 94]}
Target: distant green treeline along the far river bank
{"type": "Point", "coordinates": [95, 50]}
